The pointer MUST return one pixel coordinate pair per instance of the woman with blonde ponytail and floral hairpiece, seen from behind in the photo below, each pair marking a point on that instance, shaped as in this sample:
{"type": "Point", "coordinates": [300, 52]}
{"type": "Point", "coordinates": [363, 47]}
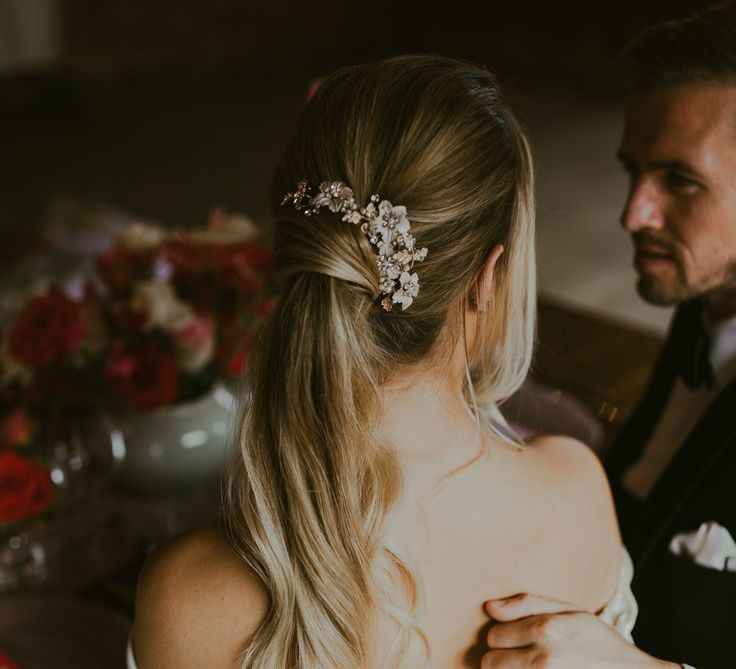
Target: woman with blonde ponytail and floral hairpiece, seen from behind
{"type": "Point", "coordinates": [378, 497]}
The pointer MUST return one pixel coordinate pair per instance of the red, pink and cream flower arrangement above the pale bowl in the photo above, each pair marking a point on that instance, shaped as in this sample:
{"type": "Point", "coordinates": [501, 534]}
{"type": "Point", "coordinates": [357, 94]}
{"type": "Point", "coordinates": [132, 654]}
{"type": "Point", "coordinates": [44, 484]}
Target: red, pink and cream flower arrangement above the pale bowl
{"type": "Point", "coordinates": [165, 314]}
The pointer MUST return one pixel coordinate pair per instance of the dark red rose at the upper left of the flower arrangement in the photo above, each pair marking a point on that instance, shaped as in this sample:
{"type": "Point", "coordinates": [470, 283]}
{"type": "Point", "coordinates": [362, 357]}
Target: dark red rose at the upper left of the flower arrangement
{"type": "Point", "coordinates": [50, 328]}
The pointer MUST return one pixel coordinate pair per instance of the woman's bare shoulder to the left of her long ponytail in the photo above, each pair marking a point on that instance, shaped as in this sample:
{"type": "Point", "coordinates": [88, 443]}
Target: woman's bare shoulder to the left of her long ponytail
{"type": "Point", "coordinates": [197, 604]}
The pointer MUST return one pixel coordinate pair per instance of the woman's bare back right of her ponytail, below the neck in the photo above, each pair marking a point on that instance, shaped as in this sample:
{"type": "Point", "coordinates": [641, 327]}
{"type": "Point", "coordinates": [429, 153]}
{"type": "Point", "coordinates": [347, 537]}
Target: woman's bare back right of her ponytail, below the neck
{"type": "Point", "coordinates": [536, 520]}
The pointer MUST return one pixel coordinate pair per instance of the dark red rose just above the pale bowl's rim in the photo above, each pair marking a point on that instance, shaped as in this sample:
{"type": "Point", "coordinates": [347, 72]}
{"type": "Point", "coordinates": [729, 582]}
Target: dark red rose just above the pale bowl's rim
{"type": "Point", "coordinates": [145, 377]}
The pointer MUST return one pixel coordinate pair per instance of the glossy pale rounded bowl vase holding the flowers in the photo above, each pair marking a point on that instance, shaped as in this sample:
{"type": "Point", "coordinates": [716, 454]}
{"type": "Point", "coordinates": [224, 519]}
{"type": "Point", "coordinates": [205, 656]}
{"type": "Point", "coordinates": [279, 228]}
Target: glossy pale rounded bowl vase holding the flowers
{"type": "Point", "coordinates": [176, 449]}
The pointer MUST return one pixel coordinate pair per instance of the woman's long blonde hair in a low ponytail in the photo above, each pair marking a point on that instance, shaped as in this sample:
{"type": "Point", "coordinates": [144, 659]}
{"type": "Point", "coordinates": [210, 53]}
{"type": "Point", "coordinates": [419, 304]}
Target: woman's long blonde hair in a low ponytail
{"type": "Point", "coordinates": [310, 494]}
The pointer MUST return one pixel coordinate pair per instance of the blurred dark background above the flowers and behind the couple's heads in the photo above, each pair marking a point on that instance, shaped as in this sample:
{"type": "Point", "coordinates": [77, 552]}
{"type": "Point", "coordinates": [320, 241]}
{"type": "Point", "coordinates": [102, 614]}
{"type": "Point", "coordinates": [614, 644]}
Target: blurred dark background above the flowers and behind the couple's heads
{"type": "Point", "coordinates": [166, 108]}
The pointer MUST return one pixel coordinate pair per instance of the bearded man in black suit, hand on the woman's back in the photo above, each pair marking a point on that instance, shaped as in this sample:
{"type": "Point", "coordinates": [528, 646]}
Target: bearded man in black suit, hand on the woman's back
{"type": "Point", "coordinates": [673, 470]}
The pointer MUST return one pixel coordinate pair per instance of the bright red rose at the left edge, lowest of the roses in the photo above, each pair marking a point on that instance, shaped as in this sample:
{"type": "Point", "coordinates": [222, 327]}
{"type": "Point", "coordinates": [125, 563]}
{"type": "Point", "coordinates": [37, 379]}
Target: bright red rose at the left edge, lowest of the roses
{"type": "Point", "coordinates": [25, 487]}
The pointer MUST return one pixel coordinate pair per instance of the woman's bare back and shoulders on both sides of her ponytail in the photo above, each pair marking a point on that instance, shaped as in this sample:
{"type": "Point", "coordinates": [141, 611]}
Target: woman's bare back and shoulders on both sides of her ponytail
{"type": "Point", "coordinates": [533, 520]}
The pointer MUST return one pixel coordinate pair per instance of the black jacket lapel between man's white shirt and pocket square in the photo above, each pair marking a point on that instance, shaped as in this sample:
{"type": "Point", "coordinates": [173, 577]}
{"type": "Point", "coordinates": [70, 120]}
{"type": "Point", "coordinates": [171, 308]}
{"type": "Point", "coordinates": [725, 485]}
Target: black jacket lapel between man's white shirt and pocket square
{"type": "Point", "coordinates": [713, 435]}
